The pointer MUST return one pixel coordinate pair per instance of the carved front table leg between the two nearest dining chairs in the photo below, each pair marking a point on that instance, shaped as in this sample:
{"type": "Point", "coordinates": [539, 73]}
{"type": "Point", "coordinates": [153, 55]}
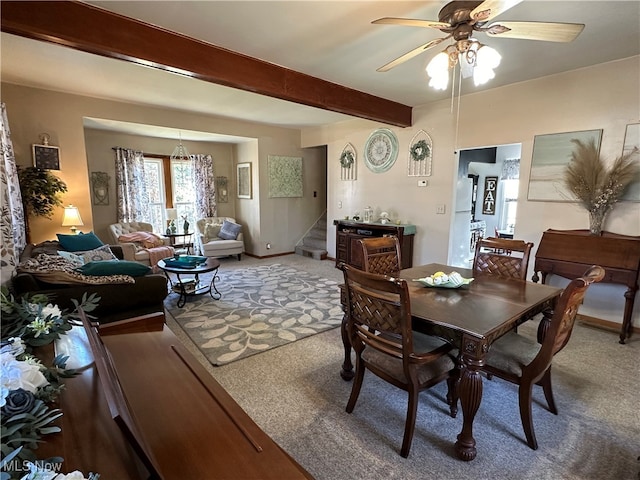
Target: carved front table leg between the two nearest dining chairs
{"type": "Point", "coordinates": [470, 394]}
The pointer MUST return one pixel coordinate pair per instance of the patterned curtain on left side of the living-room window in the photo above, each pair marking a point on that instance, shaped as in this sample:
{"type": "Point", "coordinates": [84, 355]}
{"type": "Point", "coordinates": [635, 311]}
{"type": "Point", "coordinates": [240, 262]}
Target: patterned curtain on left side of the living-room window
{"type": "Point", "coordinates": [131, 192]}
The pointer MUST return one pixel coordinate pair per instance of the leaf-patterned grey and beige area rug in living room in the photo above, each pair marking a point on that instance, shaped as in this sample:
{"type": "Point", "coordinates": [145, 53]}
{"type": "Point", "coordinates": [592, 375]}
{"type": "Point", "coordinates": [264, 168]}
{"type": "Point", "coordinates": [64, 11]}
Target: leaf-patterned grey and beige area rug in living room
{"type": "Point", "coordinates": [261, 308]}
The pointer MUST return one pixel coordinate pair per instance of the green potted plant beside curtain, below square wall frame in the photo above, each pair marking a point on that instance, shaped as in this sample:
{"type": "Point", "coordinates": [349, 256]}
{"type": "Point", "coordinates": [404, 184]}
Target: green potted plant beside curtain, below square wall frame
{"type": "Point", "coordinates": [40, 192]}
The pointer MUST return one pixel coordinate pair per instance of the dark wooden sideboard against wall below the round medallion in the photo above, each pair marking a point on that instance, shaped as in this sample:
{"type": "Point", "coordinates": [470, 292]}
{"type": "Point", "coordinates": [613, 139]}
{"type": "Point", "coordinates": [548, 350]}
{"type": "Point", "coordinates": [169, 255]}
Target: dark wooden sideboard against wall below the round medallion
{"type": "Point", "coordinates": [348, 233]}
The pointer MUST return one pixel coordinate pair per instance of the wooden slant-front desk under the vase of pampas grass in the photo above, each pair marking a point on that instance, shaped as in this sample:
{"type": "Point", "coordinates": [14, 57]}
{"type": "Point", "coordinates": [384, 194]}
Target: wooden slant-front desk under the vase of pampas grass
{"type": "Point", "coordinates": [568, 253]}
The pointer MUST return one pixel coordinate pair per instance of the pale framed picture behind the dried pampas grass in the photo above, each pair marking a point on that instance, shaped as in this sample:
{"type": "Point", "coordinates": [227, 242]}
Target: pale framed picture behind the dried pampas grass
{"type": "Point", "coordinates": [551, 155]}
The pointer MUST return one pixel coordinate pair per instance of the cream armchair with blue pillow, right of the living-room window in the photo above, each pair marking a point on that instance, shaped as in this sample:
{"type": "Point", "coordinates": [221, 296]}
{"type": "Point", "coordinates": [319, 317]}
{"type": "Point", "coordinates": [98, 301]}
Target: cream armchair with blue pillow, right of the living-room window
{"type": "Point", "coordinates": [219, 237]}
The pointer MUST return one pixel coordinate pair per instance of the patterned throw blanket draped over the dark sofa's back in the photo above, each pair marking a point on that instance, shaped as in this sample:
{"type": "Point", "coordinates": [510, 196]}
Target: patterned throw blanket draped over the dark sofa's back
{"type": "Point", "coordinates": [55, 269]}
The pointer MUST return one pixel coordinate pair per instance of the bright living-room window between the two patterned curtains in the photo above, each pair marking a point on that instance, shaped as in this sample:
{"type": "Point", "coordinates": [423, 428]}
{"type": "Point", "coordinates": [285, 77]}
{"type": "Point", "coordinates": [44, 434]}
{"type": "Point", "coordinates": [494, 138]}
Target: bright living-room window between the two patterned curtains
{"type": "Point", "coordinates": [169, 184]}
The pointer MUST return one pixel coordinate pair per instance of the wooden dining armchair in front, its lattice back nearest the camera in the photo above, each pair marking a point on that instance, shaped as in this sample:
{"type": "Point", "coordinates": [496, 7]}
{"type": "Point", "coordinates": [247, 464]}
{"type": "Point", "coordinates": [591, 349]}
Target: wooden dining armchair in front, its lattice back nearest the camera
{"type": "Point", "coordinates": [379, 327]}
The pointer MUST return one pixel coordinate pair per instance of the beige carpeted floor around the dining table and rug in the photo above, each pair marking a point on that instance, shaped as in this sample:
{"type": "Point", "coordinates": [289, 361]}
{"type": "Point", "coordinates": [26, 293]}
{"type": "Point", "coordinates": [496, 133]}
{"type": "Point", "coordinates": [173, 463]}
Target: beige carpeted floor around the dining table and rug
{"type": "Point", "coordinates": [296, 395]}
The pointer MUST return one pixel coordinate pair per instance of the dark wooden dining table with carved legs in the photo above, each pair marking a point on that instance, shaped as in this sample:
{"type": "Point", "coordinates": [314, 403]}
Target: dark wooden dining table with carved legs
{"type": "Point", "coordinates": [470, 317]}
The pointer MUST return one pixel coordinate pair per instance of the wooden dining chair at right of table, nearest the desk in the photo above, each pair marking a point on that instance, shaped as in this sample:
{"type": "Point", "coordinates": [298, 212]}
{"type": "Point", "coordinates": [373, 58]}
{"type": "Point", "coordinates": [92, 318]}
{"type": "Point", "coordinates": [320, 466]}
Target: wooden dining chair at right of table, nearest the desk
{"type": "Point", "coordinates": [525, 362]}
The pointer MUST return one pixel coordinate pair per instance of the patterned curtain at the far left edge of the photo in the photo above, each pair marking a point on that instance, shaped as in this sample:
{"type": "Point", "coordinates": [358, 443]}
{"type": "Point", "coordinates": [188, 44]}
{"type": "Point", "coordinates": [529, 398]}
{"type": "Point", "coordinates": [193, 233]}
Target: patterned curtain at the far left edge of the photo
{"type": "Point", "coordinates": [12, 226]}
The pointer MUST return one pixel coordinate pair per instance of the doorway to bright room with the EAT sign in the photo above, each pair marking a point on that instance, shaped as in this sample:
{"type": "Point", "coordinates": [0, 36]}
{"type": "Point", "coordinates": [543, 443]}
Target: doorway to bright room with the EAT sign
{"type": "Point", "coordinates": [486, 199]}
